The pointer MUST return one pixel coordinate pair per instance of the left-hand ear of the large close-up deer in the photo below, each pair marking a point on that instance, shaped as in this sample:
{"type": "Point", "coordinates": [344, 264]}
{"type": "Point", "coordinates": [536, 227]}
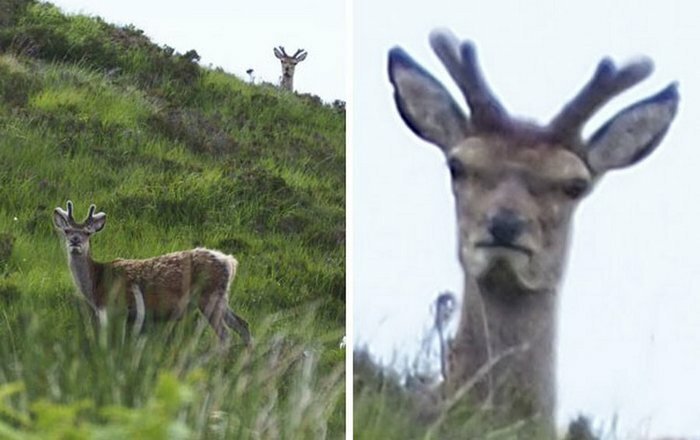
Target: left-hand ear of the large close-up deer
{"type": "Point", "coordinates": [424, 104]}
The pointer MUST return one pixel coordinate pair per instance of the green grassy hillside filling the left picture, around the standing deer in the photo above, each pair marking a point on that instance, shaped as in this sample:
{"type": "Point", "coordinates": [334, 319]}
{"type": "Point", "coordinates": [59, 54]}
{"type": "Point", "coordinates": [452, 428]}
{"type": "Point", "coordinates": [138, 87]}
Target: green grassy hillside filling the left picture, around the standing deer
{"type": "Point", "coordinates": [177, 156]}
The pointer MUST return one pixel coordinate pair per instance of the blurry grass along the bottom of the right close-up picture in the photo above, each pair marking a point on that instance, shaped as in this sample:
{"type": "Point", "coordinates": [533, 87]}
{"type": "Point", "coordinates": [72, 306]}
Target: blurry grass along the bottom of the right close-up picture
{"type": "Point", "coordinates": [389, 406]}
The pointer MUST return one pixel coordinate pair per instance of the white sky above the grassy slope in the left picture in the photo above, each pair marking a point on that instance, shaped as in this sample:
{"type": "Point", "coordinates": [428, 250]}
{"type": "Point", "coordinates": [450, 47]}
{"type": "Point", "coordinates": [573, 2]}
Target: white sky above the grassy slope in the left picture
{"type": "Point", "coordinates": [238, 35]}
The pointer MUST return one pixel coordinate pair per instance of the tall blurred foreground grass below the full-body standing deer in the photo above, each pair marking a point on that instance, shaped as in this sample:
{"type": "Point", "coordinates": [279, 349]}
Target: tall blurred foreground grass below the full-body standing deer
{"type": "Point", "coordinates": [107, 383]}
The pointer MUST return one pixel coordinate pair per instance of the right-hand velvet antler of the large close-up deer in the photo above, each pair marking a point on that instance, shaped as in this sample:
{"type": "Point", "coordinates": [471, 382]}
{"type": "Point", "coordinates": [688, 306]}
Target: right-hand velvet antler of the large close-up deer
{"type": "Point", "coordinates": [607, 82]}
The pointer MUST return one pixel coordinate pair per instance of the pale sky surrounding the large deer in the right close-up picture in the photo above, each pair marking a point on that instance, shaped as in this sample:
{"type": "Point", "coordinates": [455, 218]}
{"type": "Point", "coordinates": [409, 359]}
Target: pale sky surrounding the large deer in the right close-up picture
{"type": "Point", "coordinates": [629, 339]}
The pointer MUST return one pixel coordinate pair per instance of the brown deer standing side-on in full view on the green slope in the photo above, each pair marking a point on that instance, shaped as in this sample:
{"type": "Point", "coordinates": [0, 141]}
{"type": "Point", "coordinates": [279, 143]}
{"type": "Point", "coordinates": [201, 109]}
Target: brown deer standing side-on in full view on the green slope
{"type": "Point", "coordinates": [162, 287]}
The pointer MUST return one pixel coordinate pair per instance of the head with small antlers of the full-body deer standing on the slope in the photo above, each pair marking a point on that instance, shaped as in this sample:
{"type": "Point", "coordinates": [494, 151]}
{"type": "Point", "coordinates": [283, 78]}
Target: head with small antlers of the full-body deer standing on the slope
{"type": "Point", "coordinates": [77, 235]}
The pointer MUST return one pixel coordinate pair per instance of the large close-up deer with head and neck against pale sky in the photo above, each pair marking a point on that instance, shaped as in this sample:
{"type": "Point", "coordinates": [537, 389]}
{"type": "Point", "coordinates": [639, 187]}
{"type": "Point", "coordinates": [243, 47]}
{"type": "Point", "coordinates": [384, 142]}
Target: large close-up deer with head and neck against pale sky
{"type": "Point", "coordinates": [516, 185]}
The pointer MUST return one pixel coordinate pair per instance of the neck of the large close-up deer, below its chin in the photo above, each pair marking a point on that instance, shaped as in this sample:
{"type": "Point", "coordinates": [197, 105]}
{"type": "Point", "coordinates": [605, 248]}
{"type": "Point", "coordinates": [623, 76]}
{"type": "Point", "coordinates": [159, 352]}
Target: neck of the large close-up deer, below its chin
{"type": "Point", "coordinates": [513, 330]}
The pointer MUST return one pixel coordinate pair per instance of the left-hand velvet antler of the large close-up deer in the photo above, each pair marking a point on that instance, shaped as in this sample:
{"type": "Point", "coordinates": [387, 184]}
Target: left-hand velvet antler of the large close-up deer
{"type": "Point", "coordinates": [460, 60]}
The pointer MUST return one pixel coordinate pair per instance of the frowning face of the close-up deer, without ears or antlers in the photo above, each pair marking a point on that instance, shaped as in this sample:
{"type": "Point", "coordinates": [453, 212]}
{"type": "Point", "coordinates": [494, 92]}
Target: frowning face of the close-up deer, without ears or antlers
{"type": "Point", "coordinates": [514, 203]}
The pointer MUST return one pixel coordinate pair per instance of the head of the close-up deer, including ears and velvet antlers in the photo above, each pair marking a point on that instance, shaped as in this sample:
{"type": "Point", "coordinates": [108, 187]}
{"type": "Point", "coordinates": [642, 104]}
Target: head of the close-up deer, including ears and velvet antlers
{"type": "Point", "coordinates": [516, 184]}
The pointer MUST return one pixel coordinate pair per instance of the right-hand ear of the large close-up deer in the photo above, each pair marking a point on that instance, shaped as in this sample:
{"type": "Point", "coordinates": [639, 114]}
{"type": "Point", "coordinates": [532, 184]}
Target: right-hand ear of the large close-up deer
{"type": "Point", "coordinates": [634, 133]}
